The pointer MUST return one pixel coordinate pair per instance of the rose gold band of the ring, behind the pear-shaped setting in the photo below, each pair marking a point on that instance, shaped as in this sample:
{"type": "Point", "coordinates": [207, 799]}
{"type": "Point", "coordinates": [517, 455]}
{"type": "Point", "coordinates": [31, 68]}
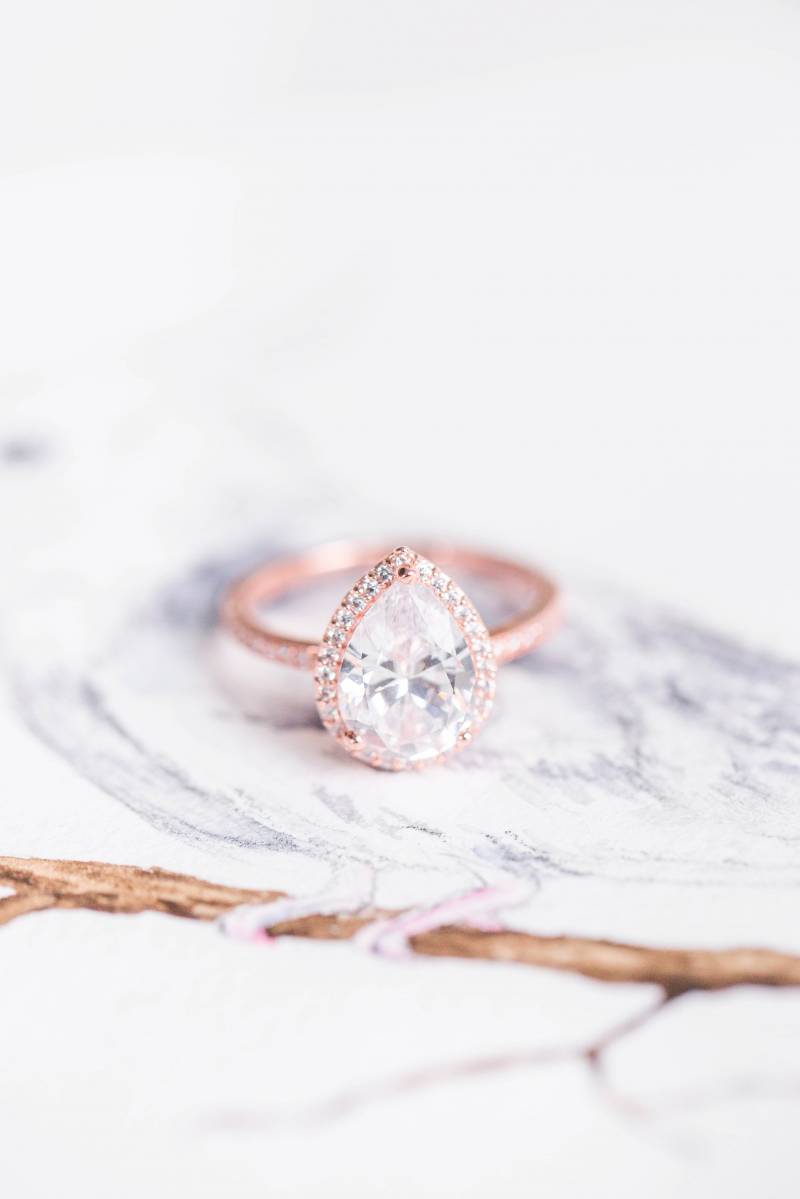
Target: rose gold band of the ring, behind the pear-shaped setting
{"type": "Point", "coordinates": [539, 616]}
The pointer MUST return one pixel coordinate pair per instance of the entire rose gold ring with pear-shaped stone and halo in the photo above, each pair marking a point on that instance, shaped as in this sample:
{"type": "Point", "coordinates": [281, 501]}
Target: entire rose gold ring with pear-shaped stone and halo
{"type": "Point", "coordinates": [406, 671]}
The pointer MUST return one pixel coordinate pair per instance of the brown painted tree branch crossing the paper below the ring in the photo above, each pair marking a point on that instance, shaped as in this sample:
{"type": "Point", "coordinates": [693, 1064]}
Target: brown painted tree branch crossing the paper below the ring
{"type": "Point", "coordinates": [100, 887]}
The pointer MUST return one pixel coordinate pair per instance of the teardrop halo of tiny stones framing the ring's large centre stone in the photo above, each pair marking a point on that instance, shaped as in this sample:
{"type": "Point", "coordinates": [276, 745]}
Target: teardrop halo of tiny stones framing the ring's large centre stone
{"type": "Point", "coordinates": [404, 565]}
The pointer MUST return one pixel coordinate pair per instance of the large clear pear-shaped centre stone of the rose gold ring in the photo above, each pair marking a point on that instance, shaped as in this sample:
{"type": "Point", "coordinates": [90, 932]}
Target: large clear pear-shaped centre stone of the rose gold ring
{"type": "Point", "coordinates": [407, 678]}
